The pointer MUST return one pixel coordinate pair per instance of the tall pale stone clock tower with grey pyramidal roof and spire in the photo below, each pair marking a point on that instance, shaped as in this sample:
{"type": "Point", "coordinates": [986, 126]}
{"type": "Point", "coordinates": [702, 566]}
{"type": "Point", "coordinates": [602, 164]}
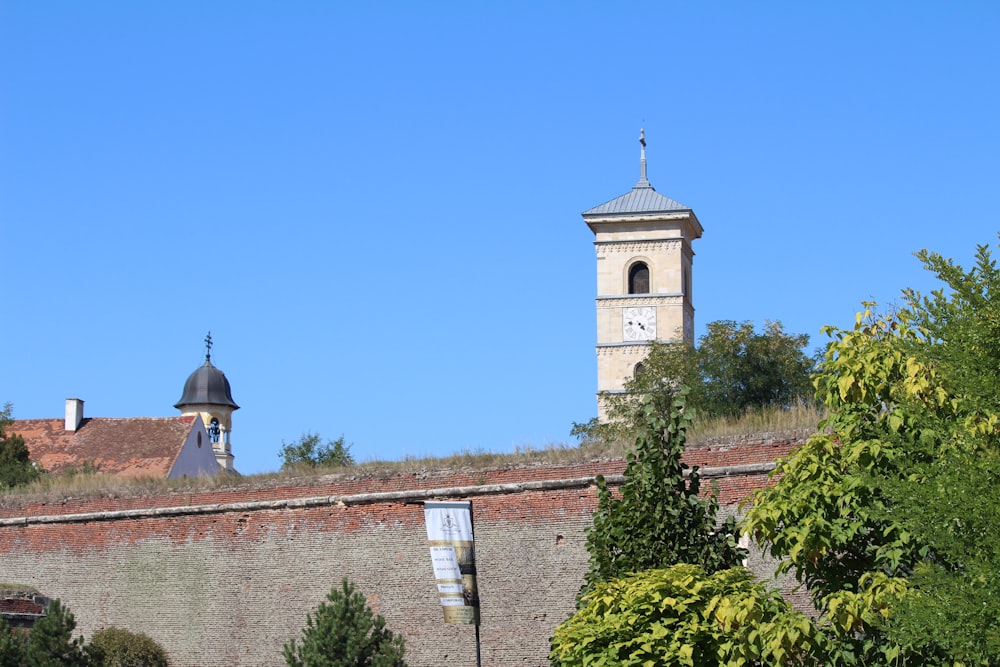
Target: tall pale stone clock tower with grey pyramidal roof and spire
{"type": "Point", "coordinates": [644, 257]}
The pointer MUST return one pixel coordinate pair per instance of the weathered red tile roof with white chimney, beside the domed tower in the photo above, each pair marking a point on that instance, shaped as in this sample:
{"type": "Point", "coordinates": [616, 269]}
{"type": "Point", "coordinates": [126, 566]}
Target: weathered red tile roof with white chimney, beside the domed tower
{"type": "Point", "coordinates": [132, 446]}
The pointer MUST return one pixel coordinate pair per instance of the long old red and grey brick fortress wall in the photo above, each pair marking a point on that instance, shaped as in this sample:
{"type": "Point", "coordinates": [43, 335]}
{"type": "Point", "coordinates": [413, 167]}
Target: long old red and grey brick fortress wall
{"type": "Point", "coordinates": [225, 577]}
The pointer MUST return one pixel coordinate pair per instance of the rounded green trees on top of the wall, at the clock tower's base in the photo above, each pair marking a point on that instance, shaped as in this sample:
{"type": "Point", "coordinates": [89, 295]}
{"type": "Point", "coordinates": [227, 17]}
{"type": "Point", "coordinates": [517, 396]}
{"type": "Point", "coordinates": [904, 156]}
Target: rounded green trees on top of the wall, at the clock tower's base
{"type": "Point", "coordinates": [734, 369]}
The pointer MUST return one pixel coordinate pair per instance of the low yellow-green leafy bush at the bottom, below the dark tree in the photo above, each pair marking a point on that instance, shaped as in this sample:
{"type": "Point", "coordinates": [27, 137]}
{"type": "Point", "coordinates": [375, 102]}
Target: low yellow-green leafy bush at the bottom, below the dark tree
{"type": "Point", "coordinates": [682, 616]}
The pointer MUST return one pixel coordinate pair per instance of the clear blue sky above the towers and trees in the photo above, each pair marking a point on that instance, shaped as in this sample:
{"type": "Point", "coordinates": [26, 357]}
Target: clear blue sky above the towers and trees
{"type": "Point", "coordinates": [375, 207]}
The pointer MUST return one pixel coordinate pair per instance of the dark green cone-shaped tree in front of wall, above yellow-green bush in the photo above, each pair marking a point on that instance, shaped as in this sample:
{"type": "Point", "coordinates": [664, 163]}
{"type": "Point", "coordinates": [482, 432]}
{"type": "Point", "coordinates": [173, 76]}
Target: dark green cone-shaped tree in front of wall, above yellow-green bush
{"type": "Point", "coordinates": [659, 518]}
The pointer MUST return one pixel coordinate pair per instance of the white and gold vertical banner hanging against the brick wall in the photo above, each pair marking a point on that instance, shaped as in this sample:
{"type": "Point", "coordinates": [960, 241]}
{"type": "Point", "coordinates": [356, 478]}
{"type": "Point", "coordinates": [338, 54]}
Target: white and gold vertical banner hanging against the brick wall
{"type": "Point", "coordinates": [453, 555]}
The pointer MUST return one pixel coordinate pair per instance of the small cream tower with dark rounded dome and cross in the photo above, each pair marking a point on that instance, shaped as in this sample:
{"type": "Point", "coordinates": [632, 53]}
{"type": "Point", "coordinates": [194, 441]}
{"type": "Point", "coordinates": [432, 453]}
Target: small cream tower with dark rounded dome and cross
{"type": "Point", "coordinates": [207, 393]}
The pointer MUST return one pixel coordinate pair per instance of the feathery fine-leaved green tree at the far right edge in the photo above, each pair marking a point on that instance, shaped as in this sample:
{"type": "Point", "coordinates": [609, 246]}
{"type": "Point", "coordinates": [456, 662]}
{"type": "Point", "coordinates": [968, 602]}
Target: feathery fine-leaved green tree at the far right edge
{"type": "Point", "coordinates": [949, 498]}
